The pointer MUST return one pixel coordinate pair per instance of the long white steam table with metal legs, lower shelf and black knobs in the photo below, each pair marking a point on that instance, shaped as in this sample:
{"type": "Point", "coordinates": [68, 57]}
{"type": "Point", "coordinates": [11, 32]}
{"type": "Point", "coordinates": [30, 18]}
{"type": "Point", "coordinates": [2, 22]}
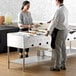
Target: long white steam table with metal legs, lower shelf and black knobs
{"type": "Point", "coordinates": [26, 40]}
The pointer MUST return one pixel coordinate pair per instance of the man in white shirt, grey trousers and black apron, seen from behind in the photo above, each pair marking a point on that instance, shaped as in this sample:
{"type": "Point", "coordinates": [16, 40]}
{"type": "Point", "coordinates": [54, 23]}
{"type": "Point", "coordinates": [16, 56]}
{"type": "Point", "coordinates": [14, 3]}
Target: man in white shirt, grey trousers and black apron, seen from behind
{"type": "Point", "coordinates": [58, 30]}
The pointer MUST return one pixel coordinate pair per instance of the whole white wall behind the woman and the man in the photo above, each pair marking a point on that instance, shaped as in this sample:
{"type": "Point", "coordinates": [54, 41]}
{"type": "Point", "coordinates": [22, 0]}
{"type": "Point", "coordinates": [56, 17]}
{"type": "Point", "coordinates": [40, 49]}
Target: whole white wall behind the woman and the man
{"type": "Point", "coordinates": [41, 10]}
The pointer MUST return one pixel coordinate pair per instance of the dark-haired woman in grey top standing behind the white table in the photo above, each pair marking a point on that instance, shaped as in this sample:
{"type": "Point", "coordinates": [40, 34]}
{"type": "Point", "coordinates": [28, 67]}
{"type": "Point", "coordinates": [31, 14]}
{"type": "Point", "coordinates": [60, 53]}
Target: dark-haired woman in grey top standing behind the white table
{"type": "Point", "coordinates": [25, 22]}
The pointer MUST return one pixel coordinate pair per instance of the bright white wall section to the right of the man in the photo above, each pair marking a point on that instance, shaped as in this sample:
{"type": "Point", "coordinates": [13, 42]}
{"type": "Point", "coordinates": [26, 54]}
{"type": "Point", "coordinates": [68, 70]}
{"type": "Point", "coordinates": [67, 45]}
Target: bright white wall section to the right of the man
{"type": "Point", "coordinates": [71, 5]}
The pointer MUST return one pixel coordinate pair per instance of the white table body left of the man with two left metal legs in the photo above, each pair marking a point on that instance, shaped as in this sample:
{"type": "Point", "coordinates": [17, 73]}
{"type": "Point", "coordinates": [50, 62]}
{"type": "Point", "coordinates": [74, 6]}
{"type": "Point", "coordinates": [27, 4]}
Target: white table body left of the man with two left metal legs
{"type": "Point", "coordinates": [25, 40]}
